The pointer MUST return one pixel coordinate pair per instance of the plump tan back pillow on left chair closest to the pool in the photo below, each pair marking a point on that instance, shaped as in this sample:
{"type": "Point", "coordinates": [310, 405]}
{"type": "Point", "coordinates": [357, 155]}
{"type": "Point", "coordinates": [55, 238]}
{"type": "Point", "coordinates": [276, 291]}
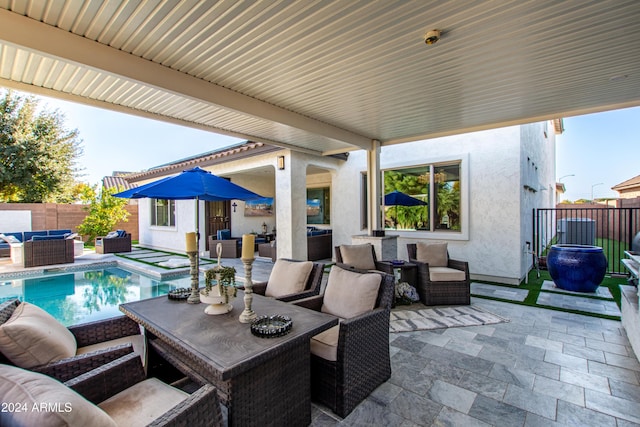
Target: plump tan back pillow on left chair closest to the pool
{"type": "Point", "coordinates": [32, 337]}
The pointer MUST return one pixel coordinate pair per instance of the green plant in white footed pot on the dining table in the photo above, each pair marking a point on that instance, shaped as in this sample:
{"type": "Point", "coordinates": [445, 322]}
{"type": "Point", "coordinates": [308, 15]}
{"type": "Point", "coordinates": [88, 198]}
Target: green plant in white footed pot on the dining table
{"type": "Point", "coordinates": [218, 296]}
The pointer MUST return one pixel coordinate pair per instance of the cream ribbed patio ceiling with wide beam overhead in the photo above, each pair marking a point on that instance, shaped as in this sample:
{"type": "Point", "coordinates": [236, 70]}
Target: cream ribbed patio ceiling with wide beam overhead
{"type": "Point", "coordinates": [328, 76]}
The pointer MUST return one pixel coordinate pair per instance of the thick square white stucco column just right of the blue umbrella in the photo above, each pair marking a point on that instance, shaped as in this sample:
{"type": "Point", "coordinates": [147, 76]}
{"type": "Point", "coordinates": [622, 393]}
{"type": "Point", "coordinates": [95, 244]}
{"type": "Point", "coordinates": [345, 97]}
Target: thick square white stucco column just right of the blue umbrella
{"type": "Point", "coordinates": [291, 207]}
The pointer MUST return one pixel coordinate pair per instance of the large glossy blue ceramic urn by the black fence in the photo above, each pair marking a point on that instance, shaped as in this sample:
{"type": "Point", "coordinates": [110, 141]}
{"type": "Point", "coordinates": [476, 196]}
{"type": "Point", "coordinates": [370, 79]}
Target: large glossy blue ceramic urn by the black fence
{"type": "Point", "coordinates": [578, 268]}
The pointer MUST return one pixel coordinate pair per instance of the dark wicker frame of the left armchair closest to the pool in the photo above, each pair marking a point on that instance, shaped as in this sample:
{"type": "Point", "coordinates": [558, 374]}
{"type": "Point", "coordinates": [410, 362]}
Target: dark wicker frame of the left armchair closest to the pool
{"type": "Point", "coordinates": [87, 334]}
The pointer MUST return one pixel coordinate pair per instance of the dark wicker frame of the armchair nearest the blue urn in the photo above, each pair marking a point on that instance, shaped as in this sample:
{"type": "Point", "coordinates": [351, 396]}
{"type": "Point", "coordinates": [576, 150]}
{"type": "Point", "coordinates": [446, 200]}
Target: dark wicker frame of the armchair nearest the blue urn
{"type": "Point", "coordinates": [434, 291]}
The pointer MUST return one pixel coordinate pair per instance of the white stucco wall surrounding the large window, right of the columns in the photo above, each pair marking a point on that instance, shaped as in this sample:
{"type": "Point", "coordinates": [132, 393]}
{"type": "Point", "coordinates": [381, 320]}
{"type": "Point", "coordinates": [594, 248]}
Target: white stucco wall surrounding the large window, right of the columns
{"type": "Point", "coordinates": [497, 213]}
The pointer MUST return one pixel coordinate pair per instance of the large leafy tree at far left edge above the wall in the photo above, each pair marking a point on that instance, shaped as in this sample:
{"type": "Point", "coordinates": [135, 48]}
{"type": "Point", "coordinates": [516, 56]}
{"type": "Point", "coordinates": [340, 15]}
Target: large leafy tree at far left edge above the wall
{"type": "Point", "coordinates": [37, 154]}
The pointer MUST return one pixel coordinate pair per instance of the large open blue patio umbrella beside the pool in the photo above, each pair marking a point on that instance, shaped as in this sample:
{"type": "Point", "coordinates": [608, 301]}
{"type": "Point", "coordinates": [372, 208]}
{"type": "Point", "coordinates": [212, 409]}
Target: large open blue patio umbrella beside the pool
{"type": "Point", "coordinates": [197, 184]}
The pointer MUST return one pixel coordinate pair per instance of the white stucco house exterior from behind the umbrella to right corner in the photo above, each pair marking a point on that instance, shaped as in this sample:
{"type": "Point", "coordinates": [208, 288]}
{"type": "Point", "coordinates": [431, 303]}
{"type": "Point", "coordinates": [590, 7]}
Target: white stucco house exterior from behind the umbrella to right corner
{"type": "Point", "coordinates": [505, 173]}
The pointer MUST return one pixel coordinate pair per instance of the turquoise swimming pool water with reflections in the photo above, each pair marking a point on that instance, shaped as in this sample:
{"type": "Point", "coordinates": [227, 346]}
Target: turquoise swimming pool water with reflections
{"type": "Point", "coordinates": [86, 296]}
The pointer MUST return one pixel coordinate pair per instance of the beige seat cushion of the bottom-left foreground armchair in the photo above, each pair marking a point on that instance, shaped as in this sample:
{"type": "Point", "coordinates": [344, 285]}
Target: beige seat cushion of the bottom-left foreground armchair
{"type": "Point", "coordinates": [142, 403]}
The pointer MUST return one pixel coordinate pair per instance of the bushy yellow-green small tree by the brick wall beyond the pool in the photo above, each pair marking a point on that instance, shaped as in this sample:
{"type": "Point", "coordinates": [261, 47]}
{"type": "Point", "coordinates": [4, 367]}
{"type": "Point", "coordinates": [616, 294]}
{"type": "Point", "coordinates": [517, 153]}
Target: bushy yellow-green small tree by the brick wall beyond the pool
{"type": "Point", "coordinates": [105, 211]}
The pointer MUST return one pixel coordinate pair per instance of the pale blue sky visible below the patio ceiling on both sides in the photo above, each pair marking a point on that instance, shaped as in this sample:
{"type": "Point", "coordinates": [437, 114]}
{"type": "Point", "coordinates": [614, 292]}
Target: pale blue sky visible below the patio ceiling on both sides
{"type": "Point", "coordinates": [595, 152]}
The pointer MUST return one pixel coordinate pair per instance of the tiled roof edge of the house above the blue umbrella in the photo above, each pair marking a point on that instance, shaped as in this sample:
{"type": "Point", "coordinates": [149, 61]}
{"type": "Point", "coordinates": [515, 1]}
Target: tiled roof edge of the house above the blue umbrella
{"type": "Point", "coordinates": [226, 154]}
